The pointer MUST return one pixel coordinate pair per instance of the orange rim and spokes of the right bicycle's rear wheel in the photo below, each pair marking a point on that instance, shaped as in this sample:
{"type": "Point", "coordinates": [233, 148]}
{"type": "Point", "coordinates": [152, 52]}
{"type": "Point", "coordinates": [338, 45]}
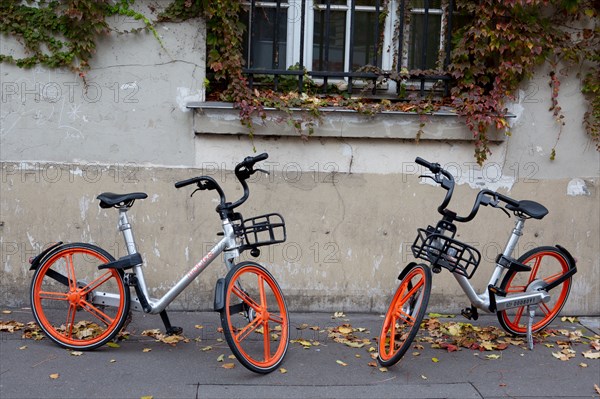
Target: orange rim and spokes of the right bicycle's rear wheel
{"type": "Point", "coordinates": [514, 321]}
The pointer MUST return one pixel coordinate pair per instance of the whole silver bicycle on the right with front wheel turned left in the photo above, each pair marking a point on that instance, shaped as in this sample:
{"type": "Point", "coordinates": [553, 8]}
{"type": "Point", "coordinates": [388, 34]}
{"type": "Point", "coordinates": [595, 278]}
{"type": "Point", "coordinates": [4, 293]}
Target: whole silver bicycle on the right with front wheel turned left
{"type": "Point", "coordinates": [519, 290]}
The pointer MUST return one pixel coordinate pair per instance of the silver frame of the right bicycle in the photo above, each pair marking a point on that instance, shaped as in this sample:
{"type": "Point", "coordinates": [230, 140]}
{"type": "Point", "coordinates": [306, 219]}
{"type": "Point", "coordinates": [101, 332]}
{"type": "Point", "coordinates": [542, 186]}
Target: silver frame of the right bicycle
{"type": "Point", "coordinates": [482, 301]}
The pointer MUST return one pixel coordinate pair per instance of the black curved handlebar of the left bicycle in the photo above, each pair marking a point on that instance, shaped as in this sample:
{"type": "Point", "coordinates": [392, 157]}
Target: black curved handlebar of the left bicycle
{"type": "Point", "coordinates": [243, 171]}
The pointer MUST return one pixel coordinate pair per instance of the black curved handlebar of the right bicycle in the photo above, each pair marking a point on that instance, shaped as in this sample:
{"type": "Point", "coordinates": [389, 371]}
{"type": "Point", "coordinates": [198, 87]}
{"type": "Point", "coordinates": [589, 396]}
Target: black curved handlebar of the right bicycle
{"type": "Point", "coordinates": [446, 180]}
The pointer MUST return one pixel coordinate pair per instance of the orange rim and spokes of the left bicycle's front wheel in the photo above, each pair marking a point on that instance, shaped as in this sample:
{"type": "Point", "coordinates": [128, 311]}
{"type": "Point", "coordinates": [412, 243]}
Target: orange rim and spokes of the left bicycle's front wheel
{"type": "Point", "coordinates": [264, 319]}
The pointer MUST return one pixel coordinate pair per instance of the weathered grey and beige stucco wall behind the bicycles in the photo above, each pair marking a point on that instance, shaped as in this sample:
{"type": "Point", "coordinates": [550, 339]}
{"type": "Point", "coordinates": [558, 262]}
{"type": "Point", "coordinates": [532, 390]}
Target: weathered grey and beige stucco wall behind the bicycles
{"type": "Point", "coordinates": [352, 204]}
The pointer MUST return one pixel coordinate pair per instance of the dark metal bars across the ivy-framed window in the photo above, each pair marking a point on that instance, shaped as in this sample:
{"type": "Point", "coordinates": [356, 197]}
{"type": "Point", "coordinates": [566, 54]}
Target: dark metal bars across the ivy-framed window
{"type": "Point", "coordinates": [278, 67]}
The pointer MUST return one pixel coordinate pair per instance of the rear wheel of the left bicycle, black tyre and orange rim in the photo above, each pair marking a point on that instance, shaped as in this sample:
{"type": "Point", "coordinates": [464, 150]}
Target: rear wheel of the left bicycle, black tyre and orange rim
{"type": "Point", "coordinates": [78, 306]}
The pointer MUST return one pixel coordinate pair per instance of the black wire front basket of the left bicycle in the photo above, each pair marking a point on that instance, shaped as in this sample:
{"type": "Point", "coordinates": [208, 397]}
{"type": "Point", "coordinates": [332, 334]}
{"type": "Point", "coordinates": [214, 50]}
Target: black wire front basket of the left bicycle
{"type": "Point", "coordinates": [263, 230]}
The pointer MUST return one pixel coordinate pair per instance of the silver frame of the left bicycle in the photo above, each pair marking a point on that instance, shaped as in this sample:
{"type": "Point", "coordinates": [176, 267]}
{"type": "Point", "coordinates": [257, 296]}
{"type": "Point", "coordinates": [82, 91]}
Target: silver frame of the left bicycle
{"type": "Point", "coordinates": [228, 244]}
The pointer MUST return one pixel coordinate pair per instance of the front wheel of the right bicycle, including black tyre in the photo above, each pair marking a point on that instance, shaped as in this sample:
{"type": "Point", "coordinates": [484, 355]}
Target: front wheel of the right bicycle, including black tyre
{"type": "Point", "coordinates": [404, 315]}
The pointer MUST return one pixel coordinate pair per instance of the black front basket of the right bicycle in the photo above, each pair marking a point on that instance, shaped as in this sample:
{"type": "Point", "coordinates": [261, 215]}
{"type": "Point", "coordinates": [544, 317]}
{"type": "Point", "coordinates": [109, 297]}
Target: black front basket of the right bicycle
{"type": "Point", "coordinates": [444, 251]}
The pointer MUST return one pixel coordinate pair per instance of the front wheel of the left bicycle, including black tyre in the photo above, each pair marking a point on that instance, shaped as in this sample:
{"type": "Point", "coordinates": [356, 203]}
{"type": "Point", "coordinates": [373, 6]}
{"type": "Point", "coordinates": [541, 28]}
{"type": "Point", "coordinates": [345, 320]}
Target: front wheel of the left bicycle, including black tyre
{"type": "Point", "coordinates": [255, 318]}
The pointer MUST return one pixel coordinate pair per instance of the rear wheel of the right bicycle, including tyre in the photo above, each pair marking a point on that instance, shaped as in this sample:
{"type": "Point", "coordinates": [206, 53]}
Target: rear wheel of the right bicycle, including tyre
{"type": "Point", "coordinates": [547, 264]}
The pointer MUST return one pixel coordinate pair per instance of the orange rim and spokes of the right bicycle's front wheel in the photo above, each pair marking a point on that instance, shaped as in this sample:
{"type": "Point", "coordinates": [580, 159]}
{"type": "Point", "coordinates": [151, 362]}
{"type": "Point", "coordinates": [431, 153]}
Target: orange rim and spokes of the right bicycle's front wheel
{"type": "Point", "coordinates": [395, 313]}
